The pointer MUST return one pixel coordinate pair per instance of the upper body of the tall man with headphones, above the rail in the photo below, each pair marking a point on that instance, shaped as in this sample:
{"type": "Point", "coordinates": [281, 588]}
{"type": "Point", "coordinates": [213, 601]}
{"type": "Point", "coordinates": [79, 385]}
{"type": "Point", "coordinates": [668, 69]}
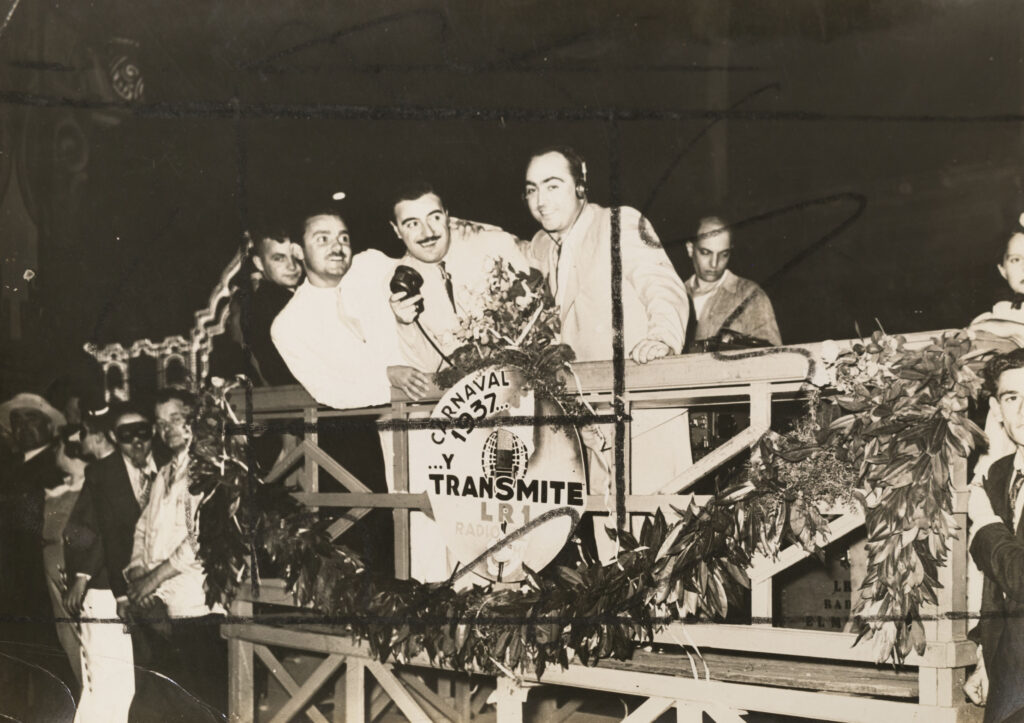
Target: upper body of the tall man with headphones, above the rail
{"type": "Point", "coordinates": [574, 251]}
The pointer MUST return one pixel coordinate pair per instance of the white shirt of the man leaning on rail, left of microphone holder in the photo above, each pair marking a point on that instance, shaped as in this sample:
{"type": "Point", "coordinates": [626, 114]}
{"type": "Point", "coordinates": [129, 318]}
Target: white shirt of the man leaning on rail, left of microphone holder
{"type": "Point", "coordinates": [338, 343]}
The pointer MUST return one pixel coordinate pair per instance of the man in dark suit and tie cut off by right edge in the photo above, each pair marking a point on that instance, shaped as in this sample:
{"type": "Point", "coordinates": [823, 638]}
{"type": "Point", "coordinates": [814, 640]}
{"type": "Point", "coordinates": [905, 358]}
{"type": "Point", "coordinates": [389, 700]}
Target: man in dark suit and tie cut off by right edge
{"type": "Point", "coordinates": [998, 548]}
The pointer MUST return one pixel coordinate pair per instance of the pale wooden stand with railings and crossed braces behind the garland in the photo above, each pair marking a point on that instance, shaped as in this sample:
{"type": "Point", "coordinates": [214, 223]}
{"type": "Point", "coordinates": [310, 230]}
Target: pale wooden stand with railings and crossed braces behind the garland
{"type": "Point", "coordinates": [789, 673]}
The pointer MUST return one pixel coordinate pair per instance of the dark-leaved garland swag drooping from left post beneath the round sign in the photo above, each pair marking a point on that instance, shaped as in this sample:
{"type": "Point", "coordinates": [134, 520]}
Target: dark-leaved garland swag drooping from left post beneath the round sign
{"type": "Point", "coordinates": [586, 613]}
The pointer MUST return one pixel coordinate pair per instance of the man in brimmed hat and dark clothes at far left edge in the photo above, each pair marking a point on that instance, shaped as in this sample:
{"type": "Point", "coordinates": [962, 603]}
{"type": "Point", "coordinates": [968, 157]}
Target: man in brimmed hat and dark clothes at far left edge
{"type": "Point", "coordinates": [25, 605]}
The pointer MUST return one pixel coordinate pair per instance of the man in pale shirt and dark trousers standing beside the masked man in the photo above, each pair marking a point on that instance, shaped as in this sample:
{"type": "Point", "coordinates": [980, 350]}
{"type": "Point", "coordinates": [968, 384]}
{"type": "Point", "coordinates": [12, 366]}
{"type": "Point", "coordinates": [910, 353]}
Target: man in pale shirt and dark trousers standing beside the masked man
{"type": "Point", "coordinates": [165, 571]}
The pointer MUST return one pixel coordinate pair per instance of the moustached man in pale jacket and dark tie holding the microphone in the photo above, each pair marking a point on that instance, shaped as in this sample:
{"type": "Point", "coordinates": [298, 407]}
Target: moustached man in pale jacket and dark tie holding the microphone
{"type": "Point", "coordinates": [455, 259]}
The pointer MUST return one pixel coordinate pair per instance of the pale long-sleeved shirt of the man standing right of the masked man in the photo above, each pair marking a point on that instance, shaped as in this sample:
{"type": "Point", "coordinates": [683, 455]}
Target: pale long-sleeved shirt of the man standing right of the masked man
{"type": "Point", "coordinates": [168, 530]}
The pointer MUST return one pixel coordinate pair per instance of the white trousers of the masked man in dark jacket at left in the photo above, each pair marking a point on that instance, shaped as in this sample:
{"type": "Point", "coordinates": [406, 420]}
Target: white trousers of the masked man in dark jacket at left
{"type": "Point", "coordinates": [108, 665]}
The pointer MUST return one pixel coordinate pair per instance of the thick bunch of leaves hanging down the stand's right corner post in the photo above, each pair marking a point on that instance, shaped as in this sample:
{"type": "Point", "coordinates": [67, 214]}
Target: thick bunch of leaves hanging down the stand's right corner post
{"type": "Point", "coordinates": [906, 423]}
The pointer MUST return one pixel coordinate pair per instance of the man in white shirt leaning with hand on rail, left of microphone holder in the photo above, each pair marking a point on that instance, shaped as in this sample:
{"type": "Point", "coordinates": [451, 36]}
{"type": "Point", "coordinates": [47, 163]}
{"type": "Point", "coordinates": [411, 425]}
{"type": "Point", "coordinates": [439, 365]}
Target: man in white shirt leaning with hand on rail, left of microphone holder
{"type": "Point", "coordinates": [337, 335]}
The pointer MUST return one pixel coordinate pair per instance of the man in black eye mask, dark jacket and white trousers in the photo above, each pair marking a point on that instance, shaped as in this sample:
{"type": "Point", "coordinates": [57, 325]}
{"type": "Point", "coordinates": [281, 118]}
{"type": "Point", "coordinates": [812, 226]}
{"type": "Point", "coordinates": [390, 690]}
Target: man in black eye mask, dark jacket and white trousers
{"type": "Point", "coordinates": [99, 544]}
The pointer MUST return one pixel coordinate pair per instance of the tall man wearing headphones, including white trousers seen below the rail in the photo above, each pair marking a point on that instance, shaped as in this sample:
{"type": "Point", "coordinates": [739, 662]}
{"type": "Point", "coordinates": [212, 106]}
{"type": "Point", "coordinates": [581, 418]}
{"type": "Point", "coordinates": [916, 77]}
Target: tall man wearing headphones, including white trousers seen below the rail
{"type": "Point", "coordinates": [574, 251]}
